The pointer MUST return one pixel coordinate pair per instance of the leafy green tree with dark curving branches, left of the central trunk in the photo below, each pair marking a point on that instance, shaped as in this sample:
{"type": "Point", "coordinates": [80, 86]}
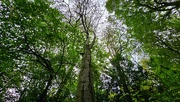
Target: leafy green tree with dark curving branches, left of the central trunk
{"type": "Point", "coordinates": [37, 53]}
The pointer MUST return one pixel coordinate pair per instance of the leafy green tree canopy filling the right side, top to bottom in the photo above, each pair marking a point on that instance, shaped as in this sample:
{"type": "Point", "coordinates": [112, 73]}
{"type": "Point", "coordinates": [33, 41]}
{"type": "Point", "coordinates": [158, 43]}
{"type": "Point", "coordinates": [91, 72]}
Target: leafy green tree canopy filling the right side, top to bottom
{"type": "Point", "coordinates": [155, 24]}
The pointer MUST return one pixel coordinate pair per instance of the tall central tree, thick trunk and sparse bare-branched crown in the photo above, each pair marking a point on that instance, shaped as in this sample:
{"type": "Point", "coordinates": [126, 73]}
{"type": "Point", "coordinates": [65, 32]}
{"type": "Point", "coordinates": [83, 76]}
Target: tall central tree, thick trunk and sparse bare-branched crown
{"type": "Point", "coordinates": [85, 15]}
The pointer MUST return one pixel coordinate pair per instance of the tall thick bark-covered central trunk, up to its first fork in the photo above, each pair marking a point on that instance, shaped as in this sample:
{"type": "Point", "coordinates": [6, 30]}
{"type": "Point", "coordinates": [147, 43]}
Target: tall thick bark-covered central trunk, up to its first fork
{"type": "Point", "coordinates": [85, 90]}
